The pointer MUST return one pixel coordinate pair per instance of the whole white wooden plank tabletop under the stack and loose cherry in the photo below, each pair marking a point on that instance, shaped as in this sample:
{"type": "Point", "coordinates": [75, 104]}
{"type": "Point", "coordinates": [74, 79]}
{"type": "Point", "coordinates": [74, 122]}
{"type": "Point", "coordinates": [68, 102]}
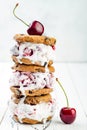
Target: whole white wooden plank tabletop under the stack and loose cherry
{"type": "Point", "coordinates": [73, 78]}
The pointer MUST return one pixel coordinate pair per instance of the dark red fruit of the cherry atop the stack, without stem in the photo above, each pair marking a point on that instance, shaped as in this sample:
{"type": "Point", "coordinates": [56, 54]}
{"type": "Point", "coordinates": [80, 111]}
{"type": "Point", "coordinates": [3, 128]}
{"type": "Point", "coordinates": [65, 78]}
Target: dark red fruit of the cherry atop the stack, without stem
{"type": "Point", "coordinates": [36, 28]}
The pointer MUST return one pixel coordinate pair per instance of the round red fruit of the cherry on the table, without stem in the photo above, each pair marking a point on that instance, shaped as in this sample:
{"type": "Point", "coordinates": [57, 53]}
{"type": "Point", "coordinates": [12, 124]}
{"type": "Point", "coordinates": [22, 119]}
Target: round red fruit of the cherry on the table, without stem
{"type": "Point", "coordinates": [68, 115]}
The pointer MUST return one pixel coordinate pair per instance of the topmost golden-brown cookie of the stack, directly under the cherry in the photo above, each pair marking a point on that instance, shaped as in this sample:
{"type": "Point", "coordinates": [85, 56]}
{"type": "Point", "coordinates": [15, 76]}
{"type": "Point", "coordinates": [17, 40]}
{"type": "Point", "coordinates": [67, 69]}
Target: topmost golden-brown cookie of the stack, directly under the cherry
{"type": "Point", "coordinates": [21, 38]}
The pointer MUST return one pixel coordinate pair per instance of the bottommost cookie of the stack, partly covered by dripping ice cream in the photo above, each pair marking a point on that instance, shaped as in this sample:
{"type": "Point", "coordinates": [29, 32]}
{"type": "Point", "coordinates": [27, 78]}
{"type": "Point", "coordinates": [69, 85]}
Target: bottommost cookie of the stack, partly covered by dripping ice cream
{"type": "Point", "coordinates": [30, 121]}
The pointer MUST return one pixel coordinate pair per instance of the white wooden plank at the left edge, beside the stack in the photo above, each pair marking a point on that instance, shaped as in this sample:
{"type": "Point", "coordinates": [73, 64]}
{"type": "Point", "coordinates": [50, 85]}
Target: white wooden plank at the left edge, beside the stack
{"type": "Point", "coordinates": [4, 87]}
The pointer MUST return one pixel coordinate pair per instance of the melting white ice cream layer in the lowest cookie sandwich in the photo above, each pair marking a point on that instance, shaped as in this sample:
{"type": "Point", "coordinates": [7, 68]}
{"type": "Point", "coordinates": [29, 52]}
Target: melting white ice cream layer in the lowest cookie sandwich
{"type": "Point", "coordinates": [38, 112]}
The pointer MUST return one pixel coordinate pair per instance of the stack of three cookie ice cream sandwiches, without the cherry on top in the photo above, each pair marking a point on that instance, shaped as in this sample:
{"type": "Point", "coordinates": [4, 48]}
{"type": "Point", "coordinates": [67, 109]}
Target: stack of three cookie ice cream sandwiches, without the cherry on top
{"type": "Point", "coordinates": [32, 81]}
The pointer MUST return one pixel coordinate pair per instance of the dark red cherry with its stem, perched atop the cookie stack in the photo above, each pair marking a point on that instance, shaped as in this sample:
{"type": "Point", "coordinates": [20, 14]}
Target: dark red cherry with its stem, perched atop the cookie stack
{"type": "Point", "coordinates": [36, 28]}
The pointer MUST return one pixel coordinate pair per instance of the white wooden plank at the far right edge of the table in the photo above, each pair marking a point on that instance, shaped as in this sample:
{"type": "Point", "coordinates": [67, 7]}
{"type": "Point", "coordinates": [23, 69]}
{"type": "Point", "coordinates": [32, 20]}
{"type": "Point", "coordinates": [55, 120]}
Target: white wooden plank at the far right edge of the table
{"type": "Point", "coordinates": [78, 72]}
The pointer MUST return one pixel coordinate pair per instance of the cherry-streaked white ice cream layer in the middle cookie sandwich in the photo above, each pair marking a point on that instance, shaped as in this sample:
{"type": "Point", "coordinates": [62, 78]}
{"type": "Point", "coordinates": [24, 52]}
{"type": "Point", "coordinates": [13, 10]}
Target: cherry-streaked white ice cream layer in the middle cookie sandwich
{"type": "Point", "coordinates": [30, 81]}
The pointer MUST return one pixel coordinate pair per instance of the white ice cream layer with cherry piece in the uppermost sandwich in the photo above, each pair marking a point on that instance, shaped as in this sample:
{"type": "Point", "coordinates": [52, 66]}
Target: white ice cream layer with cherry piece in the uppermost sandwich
{"type": "Point", "coordinates": [35, 52]}
